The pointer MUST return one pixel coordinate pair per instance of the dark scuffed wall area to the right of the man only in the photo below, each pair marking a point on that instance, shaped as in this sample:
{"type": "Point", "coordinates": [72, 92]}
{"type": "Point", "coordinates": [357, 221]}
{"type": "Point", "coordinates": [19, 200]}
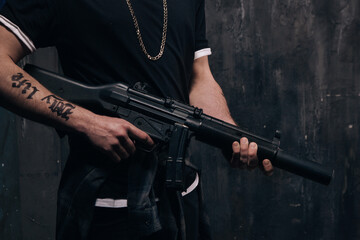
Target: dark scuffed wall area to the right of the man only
{"type": "Point", "coordinates": [294, 66]}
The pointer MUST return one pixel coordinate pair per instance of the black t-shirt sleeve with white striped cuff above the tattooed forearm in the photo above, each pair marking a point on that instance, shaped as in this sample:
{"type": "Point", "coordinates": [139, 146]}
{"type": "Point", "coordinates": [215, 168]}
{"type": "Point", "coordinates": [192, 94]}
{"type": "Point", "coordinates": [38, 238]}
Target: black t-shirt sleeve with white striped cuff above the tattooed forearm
{"type": "Point", "coordinates": [33, 22]}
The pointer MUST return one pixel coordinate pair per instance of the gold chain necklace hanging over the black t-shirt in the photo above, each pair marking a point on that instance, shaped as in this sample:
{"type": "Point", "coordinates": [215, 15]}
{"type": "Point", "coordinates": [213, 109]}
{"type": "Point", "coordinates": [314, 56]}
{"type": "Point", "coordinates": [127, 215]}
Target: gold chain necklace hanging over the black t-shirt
{"type": "Point", "coordinates": [138, 33]}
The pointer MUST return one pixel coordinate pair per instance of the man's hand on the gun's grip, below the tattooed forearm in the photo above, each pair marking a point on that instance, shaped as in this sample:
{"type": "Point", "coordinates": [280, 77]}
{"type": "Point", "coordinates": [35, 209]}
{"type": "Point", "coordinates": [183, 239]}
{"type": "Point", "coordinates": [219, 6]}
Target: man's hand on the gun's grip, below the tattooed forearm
{"type": "Point", "coordinates": [116, 137]}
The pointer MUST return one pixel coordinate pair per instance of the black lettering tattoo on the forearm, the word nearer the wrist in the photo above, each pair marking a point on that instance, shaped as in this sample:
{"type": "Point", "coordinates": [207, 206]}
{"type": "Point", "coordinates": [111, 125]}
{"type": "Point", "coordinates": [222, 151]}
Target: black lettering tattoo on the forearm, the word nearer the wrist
{"type": "Point", "coordinates": [59, 106]}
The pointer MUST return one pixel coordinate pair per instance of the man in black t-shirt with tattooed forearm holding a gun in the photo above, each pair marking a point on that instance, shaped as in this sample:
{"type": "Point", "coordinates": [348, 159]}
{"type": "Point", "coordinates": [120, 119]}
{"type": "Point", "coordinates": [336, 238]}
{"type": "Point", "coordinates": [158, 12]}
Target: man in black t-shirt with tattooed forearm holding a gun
{"type": "Point", "coordinates": [157, 45]}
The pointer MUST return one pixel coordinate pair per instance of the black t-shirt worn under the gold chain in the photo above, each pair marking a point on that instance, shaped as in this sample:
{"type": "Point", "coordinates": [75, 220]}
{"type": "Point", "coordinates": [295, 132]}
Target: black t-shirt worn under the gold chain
{"type": "Point", "coordinates": [97, 41]}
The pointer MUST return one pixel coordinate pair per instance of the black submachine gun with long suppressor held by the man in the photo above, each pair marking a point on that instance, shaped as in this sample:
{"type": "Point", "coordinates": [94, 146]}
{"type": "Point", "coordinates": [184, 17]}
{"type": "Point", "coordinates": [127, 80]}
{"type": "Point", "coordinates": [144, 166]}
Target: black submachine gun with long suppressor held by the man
{"type": "Point", "coordinates": [169, 121]}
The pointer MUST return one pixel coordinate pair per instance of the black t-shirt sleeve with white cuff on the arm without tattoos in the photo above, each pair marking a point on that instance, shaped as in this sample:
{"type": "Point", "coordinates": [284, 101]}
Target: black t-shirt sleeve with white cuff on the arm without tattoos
{"type": "Point", "coordinates": [201, 44]}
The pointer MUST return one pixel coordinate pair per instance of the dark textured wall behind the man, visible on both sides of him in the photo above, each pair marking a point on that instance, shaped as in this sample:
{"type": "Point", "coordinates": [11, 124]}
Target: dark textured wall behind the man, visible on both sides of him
{"type": "Point", "coordinates": [290, 65]}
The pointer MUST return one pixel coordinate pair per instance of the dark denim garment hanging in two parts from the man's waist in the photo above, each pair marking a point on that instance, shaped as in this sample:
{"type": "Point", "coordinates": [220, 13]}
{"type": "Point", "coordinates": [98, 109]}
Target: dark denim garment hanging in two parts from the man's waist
{"type": "Point", "coordinates": [85, 172]}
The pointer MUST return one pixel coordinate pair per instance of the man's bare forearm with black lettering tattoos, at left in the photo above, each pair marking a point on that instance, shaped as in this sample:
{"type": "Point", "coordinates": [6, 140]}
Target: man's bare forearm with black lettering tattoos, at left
{"type": "Point", "coordinates": [22, 94]}
